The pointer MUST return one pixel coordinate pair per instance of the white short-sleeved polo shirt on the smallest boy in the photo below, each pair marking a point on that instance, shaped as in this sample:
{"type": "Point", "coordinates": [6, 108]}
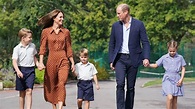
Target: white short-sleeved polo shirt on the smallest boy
{"type": "Point", "coordinates": [85, 71]}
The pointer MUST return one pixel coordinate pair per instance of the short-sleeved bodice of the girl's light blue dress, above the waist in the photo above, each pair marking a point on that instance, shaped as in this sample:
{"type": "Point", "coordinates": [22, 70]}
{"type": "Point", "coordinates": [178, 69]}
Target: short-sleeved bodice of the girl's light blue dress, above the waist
{"type": "Point", "coordinates": [172, 65]}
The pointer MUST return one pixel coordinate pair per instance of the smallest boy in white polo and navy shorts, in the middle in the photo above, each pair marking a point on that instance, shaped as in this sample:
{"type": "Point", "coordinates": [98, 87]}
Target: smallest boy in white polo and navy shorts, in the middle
{"type": "Point", "coordinates": [85, 72]}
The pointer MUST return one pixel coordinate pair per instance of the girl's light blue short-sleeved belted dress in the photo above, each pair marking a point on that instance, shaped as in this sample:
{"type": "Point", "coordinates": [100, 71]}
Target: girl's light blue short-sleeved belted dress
{"type": "Point", "coordinates": [172, 66]}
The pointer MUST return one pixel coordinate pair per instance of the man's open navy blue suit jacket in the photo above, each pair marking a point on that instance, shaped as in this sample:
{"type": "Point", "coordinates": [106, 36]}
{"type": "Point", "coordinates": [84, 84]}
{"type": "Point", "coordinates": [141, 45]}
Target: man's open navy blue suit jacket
{"type": "Point", "coordinates": [139, 46]}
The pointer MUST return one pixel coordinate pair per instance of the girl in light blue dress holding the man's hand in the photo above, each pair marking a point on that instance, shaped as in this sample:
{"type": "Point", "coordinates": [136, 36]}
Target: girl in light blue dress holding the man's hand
{"type": "Point", "coordinates": [172, 82]}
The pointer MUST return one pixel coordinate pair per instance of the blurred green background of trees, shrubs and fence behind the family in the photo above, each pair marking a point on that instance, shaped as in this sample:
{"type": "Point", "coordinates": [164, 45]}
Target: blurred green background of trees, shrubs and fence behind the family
{"type": "Point", "coordinates": [90, 21]}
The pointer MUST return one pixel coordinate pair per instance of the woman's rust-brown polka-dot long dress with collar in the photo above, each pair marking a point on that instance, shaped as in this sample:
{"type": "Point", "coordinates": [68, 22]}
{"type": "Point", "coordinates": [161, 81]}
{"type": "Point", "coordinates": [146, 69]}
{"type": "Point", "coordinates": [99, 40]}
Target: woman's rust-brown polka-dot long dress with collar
{"type": "Point", "coordinates": [57, 66]}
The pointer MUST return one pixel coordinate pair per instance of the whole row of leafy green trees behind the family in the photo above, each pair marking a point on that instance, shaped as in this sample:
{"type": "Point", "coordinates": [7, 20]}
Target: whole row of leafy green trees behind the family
{"type": "Point", "coordinates": [89, 21]}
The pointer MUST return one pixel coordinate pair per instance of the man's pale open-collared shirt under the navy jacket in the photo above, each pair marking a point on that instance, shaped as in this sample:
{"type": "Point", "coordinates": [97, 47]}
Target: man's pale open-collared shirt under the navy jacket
{"type": "Point", "coordinates": [126, 32]}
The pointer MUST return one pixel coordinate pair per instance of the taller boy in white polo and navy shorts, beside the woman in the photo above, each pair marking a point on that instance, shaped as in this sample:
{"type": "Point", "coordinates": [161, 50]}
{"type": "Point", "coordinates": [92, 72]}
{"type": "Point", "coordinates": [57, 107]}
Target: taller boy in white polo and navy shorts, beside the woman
{"type": "Point", "coordinates": [23, 60]}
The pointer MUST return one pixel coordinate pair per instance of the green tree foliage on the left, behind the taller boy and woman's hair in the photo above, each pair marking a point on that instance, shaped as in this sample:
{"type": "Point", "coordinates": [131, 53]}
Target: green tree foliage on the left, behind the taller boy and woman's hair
{"type": "Point", "coordinates": [17, 14]}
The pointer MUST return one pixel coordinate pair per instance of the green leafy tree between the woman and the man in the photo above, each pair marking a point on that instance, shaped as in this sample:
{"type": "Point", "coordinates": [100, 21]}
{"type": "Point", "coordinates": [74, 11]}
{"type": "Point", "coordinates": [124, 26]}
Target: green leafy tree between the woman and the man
{"type": "Point", "coordinates": [90, 27]}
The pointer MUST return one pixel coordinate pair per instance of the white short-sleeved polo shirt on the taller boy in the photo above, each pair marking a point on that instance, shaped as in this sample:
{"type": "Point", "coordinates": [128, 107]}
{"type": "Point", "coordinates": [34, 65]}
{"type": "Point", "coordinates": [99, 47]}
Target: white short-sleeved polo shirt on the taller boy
{"type": "Point", "coordinates": [25, 55]}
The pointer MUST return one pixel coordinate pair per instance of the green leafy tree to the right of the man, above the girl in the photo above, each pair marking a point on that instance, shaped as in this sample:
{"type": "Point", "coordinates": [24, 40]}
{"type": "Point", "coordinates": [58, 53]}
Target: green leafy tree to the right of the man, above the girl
{"type": "Point", "coordinates": [166, 19]}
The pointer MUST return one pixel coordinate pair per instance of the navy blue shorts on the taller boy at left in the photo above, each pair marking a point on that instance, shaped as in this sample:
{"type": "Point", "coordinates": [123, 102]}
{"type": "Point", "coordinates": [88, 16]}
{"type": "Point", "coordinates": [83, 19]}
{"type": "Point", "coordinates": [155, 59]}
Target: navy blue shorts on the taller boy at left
{"type": "Point", "coordinates": [28, 78]}
